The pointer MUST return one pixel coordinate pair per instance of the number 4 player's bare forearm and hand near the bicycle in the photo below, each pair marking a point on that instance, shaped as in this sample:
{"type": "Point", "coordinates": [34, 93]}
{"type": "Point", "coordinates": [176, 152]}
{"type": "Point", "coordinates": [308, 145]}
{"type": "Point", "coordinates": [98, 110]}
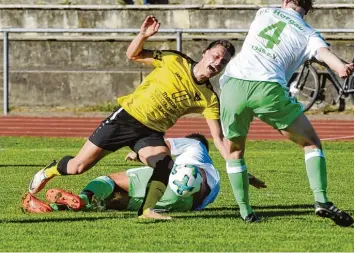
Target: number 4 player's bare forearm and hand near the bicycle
{"type": "Point", "coordinates": [343, 69]}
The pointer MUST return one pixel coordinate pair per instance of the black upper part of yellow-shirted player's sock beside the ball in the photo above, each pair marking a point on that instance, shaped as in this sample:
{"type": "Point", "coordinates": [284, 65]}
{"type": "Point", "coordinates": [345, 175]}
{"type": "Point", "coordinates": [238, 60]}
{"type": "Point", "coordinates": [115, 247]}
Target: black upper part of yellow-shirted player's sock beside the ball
{"type": "Point", "coordinates": [162, 165]}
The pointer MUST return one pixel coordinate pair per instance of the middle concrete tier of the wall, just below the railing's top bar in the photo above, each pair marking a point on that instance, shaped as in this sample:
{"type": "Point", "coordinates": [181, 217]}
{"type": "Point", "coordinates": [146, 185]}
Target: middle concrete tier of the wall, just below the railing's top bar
{"type": "Point", "coordinates": [102, 55]}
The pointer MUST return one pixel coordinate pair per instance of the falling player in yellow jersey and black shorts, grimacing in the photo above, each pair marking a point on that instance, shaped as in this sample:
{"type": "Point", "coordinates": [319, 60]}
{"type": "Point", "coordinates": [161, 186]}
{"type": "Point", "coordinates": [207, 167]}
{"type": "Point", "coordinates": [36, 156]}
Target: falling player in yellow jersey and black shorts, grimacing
{"type": "Point", "coordinates": [177, 86]}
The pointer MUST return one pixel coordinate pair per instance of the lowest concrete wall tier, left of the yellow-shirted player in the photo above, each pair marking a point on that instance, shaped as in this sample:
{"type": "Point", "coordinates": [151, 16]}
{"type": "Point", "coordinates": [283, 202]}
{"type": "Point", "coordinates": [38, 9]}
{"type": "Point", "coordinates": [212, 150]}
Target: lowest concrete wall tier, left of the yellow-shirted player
{"type": "Point", "coordinates": [68, 89]}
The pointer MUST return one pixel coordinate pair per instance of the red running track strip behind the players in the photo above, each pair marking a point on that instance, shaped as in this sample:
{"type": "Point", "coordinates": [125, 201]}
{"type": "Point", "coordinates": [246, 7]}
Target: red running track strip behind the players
{"type": "Point", "coordinates": [84, 126]}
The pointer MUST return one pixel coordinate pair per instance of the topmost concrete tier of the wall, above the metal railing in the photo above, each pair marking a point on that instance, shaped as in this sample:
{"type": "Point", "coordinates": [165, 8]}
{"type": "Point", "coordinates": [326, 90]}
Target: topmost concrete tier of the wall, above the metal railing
{"type": "Point", "coordinates": [325, 16]}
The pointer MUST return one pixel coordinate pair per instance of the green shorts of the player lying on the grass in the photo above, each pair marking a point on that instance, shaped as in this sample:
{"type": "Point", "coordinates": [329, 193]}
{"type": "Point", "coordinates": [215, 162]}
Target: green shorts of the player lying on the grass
{"type": "Point", "coordinates": [138, 180]}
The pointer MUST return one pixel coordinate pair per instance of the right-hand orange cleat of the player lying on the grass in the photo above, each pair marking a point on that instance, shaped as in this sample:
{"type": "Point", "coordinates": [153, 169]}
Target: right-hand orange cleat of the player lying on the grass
{"type": "Point", "coordinates": [62, 197]}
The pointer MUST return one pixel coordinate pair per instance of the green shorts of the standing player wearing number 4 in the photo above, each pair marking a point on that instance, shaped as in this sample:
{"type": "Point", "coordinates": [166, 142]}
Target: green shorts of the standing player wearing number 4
{"type": "Point", "coordinates": [241, 100]}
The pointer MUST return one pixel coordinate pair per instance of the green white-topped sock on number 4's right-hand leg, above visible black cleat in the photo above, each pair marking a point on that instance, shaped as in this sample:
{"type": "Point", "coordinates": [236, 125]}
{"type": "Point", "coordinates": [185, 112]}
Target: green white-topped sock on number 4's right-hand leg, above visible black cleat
{"type": "Point", "coordinates": [317, 174]}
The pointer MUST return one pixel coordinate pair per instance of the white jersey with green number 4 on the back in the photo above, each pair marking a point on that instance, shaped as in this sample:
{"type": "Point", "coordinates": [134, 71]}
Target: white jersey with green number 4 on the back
{"type": "Point", "coordinates": [278, 42]}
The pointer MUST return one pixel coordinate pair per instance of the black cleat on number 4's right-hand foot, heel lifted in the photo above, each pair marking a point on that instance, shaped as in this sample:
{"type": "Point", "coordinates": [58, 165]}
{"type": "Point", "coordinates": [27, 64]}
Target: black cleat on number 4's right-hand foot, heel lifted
{"type": "Point", "coordinates": [329, 210]}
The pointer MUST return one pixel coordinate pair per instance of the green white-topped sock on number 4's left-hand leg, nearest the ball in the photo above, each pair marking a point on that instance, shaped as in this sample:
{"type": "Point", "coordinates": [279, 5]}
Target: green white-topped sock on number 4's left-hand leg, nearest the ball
{"type": "Point", "coordinates": [238, 177]}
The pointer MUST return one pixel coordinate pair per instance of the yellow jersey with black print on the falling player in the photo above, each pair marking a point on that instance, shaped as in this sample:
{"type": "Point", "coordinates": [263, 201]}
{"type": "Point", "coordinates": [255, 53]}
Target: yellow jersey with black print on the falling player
{"type": "Point", "coordinates": [169, 92]}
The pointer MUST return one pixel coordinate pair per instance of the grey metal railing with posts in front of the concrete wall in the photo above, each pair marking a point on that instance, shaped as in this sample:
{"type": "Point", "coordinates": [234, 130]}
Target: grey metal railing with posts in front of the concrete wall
{"type": "Point", "coordinates": [178, 32]}
